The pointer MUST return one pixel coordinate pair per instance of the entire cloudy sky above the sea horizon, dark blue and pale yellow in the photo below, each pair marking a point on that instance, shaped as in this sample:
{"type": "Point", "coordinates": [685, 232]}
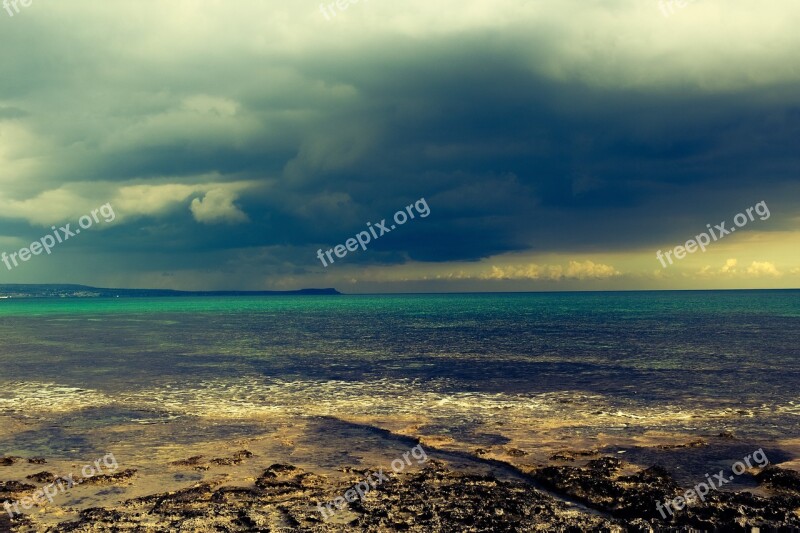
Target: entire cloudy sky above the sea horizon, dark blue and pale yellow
{"type": "Point", "coordinates": [549, 144]}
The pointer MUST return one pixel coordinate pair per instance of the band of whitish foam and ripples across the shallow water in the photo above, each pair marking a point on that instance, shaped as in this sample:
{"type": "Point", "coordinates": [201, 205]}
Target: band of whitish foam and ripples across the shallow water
{"type": "Point", "coordinates": [250, 398]}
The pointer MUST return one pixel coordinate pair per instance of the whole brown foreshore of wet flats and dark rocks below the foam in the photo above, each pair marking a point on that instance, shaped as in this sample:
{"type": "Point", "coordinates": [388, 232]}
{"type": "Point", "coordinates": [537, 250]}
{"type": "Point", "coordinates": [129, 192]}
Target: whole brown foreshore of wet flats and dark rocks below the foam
{"type": "Point", "coordinates": [275, 482]}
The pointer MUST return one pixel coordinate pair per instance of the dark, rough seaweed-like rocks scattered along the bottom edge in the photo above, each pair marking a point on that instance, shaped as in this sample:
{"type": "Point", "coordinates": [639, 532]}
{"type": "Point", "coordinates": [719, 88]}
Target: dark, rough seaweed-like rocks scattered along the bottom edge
{"type": "Point", "coordinates": [578, 491]}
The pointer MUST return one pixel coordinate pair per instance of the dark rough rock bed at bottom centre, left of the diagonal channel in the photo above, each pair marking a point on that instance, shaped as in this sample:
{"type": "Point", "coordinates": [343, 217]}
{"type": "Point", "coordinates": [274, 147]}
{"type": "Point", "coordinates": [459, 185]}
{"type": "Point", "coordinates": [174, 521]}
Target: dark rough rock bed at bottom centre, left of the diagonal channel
{"type": "Point", "coordinates": [284, 498]}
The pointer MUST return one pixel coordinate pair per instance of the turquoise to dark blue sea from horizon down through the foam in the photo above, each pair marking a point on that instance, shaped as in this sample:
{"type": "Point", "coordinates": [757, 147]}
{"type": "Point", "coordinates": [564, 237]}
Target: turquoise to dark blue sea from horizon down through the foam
{"type": "Point", "coordinates": [471, 367]}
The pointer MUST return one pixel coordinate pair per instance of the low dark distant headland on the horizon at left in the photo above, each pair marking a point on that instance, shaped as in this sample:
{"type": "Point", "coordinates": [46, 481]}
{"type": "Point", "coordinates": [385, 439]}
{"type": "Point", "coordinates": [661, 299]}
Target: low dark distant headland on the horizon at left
{"type": "Point", "coordinates": [9, 291]}
